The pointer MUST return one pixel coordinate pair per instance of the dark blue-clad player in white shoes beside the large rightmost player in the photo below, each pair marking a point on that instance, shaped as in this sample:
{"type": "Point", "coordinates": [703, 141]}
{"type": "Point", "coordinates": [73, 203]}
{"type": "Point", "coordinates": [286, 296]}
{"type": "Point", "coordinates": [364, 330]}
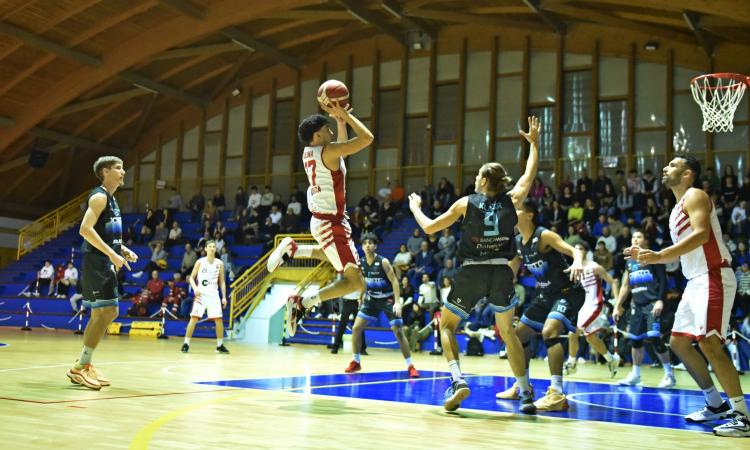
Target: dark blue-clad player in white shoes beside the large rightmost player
{"type": "Point", "coordinates": [647, 284]}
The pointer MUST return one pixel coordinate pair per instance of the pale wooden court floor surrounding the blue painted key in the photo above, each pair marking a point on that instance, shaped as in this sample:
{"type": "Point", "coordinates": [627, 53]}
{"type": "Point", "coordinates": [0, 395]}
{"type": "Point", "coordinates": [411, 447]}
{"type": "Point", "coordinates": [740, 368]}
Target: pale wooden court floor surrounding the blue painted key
{"type": "Point", "coordinates": [154, 403]}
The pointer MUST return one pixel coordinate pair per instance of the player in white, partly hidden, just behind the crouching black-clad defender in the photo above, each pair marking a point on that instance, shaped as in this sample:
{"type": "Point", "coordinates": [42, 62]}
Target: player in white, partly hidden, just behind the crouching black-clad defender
{"type": "Point", "coordinates": [593, 274]}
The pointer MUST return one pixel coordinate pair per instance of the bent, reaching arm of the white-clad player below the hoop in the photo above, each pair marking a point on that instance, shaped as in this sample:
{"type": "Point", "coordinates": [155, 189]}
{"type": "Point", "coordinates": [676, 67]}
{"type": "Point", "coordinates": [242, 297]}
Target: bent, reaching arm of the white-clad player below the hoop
{"type": "Point", "coordinates": [698, 208]}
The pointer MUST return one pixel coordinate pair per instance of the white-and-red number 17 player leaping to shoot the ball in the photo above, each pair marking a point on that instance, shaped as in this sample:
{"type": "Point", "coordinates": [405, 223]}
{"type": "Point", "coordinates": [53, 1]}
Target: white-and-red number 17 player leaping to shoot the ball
{"type": "Point", "coordinates": [326, 197]}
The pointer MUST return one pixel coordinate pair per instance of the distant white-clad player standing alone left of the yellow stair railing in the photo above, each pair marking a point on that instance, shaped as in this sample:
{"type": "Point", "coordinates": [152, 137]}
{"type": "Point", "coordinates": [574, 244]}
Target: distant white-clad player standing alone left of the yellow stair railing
{"type": "Point", "coordinates": [206, 280]}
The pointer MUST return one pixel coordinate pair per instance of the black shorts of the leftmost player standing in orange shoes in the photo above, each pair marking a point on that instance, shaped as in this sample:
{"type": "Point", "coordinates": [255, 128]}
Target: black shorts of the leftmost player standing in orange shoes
{"type": "Point", "coordinates": [99, 281]}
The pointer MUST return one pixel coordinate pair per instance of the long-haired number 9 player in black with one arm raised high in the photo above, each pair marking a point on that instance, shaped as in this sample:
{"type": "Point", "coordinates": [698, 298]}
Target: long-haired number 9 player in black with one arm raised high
{"type": "Point", "coordinates": [486, 247]}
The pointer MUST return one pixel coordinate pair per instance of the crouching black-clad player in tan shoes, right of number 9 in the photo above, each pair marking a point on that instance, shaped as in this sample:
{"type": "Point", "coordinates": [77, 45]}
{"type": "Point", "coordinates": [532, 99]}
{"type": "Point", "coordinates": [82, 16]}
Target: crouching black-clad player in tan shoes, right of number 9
{"type": "Point", "coordinates": [554, 310]}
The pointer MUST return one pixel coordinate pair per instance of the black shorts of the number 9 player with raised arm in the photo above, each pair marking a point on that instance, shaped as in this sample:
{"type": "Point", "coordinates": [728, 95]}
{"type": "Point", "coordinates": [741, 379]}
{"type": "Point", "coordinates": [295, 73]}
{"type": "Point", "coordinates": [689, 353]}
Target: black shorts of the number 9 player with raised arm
{"type": "Point", "coordinates": [476, 281]}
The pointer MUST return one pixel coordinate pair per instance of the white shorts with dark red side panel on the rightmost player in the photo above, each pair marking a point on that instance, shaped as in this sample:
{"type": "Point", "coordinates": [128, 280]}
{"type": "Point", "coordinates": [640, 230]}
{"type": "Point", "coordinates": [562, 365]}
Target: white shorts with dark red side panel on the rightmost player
{"type": "Point", "coordinates": [706, 305]}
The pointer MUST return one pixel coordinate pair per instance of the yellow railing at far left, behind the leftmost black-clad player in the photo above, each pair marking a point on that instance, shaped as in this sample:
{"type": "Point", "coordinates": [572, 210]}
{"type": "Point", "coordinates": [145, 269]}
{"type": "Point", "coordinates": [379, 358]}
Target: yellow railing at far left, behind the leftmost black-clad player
{"type": "Point", "coordinates": [50, 225]}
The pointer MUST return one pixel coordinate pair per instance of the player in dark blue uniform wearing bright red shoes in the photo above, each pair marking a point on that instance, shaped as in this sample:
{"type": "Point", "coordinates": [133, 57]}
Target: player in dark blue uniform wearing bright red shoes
{"type": "Point", "coordinates": [382, 293]}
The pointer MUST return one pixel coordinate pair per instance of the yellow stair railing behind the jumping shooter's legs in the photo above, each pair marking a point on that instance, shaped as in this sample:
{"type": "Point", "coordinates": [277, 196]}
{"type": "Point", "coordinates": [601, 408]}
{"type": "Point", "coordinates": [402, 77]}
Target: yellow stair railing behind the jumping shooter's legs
{"type": "Point", "coordinates": [249, 289]}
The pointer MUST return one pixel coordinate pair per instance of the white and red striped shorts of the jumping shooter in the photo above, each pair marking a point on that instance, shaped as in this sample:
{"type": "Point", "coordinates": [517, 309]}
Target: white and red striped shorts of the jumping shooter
{"type": "Point", "coordinates": [335, 236]}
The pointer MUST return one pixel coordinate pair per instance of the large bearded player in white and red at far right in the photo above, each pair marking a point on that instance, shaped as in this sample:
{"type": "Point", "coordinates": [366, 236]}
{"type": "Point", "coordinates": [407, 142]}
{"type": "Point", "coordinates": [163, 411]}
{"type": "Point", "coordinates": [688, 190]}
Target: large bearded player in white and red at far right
{"type": "Point", "coordinates": [703, 313]}
